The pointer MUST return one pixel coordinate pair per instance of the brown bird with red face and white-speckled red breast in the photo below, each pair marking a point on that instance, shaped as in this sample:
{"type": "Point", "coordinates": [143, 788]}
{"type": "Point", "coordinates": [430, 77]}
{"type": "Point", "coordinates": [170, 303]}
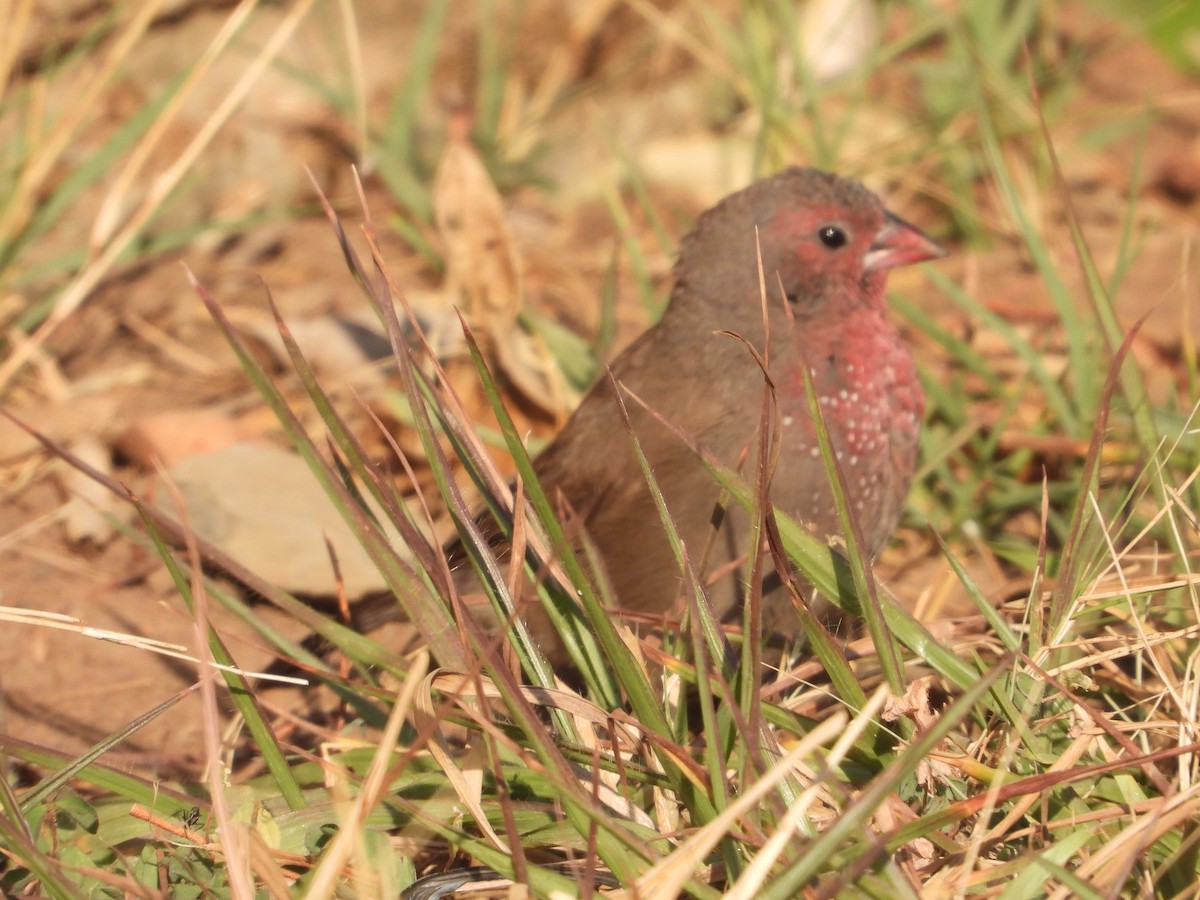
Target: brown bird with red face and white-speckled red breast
{"type": "Point", "coordinates": [819, 249]}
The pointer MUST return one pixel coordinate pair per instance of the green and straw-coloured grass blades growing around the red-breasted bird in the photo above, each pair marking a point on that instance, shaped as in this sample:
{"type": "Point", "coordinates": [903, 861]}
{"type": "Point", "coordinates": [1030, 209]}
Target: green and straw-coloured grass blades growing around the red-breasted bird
{"type": "Point", "coordinates": [1041, 742]}
